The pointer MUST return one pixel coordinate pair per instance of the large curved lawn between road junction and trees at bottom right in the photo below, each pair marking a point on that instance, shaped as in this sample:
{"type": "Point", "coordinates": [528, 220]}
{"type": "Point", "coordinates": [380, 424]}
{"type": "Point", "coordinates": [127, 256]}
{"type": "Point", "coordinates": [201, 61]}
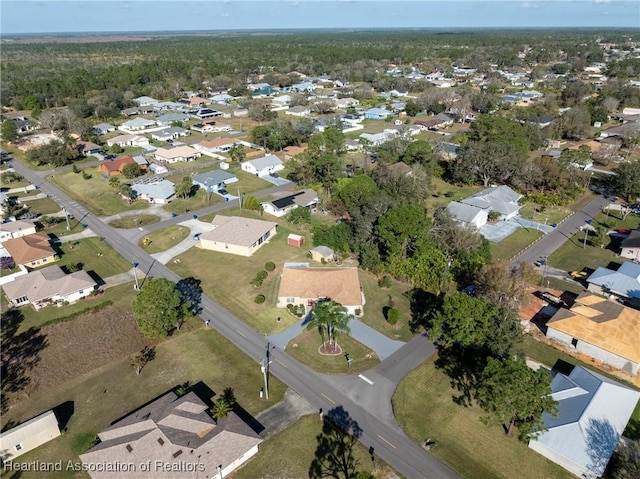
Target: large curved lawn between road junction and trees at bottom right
{"type": "Point", "coordinates": [424, 408]}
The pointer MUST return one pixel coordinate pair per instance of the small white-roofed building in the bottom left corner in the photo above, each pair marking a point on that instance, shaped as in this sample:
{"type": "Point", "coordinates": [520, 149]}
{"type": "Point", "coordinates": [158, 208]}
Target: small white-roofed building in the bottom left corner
{"type": "Point", "coordinates": [27, 436]}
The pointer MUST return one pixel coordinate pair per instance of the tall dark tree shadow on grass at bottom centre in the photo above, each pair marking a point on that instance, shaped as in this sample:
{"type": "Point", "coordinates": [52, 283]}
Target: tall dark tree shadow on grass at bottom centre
{"type": "Point", "coordinates": [334, 455]}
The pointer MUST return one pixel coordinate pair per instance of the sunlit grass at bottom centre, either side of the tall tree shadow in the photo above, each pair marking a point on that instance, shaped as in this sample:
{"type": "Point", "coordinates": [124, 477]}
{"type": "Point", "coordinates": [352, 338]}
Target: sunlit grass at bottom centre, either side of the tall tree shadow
{"type": "Point", "coordinates": [300, 443]}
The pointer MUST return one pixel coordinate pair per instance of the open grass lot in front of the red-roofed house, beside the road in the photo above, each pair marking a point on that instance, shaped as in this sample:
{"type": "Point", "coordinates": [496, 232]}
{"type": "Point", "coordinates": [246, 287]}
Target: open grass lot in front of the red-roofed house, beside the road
{"type": "Point", "coordinates": [95, 193]}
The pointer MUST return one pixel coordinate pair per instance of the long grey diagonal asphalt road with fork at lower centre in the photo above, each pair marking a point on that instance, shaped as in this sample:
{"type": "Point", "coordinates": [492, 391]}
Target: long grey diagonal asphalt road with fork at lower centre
{"type": "Point", "coordinates": [367, 402]}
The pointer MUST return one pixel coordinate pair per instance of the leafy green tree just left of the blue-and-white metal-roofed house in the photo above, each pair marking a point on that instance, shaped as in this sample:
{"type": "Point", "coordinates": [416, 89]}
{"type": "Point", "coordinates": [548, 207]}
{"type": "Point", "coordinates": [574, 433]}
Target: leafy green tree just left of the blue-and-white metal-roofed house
{"type": "Point", "coordinates": [516, 395]}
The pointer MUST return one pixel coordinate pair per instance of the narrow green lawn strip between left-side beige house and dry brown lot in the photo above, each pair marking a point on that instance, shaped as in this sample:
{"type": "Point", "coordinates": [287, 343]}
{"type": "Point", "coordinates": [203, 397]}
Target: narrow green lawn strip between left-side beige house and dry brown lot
{"type": "Point", "coordinates": [36, 319]}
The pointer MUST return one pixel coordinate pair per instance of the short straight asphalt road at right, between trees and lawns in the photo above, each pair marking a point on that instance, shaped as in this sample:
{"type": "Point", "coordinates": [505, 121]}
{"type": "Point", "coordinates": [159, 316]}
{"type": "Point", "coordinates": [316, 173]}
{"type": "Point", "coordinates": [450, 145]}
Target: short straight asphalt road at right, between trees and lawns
{"type": "Point", "coordinates": [564, 232]}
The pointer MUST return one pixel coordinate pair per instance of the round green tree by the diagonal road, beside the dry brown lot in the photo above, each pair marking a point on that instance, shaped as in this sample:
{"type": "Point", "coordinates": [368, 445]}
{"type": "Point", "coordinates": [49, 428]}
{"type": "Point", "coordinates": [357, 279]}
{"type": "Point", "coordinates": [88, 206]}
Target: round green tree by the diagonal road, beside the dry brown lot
{"type": "Point", "coordinates": [159, 308]}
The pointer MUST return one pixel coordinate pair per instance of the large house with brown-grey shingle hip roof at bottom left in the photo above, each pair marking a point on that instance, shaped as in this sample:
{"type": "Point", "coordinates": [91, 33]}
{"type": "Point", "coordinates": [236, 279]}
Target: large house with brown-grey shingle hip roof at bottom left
{"type": "Point", "coordinates": [178, 437]}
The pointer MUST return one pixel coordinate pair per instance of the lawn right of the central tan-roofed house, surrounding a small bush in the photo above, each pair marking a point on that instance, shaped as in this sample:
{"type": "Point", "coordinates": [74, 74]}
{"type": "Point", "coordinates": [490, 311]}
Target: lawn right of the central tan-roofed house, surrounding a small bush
{"type": "Point", "coordinates": [378, 298]}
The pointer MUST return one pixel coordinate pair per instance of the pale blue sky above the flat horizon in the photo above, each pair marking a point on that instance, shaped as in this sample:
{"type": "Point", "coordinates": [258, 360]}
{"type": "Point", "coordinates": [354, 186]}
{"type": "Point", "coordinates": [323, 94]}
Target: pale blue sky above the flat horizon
{"type": "Point", "coordinates": [67, 16]}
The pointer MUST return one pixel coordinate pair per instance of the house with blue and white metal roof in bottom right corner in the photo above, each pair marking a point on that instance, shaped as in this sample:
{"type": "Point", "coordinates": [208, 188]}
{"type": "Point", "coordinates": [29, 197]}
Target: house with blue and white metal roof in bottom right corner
{"type": "Point", "coordinates": [592, 413]}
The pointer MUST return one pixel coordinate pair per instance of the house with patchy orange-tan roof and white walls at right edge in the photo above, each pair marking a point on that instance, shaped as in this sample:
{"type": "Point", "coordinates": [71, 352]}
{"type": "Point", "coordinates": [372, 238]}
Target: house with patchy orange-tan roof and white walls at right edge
{"type": "Point", "coordinates": [600, 328]}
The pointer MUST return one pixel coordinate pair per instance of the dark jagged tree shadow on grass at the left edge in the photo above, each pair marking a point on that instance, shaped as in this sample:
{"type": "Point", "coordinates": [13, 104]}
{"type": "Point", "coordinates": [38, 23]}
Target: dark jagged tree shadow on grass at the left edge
{"type": "Point", "coordinates": [20, 353]}
